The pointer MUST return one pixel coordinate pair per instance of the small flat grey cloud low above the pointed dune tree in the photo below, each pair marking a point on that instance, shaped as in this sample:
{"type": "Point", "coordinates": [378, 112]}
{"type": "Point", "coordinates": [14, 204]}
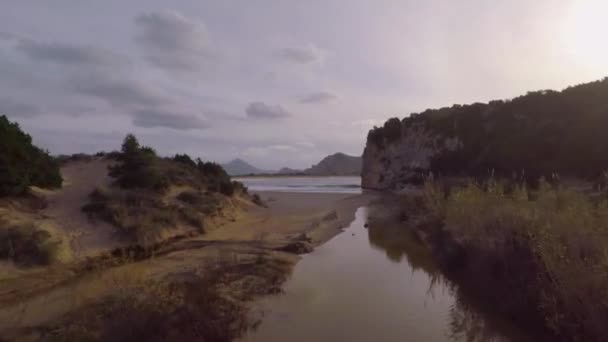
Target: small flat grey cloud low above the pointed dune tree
{"type": "Point", "coordinates": [149, 118]}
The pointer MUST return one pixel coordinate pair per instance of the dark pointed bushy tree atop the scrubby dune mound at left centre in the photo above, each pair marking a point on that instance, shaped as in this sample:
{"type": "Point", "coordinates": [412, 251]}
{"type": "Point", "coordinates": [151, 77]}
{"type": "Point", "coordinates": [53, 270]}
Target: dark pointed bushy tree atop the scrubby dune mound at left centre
{"type": "Point", "coordinates": [138, 167]}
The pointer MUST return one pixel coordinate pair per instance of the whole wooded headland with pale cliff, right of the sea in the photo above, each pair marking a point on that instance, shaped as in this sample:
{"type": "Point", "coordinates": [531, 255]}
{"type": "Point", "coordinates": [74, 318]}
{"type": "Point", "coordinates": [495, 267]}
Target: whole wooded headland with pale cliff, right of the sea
{"type": "Point", "coordinates": [542, 133]}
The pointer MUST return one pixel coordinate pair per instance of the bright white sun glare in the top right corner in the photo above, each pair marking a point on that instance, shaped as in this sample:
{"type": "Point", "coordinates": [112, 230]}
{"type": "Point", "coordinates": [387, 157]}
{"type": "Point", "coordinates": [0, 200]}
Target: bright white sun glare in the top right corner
{"type": "Point", "coordinates": [586, 34]}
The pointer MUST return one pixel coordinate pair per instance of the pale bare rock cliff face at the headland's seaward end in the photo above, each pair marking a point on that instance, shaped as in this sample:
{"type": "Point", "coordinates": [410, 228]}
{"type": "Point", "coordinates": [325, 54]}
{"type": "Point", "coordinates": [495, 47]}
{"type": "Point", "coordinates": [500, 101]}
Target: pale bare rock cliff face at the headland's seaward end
{"type": "Point", "coordinates": [395, 165]}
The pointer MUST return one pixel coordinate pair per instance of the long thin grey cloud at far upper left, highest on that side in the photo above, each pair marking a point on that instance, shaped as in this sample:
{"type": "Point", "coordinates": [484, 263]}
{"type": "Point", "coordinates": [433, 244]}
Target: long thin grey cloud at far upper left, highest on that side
{"type": "Point", "coordinates": [70, 54]}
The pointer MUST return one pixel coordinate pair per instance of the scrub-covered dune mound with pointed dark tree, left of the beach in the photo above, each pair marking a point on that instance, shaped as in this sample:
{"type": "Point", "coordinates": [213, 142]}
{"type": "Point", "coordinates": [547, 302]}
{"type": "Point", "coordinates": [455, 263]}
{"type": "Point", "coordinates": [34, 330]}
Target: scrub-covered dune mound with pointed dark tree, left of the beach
{"type": "Point", "coordinates": [154, 198]}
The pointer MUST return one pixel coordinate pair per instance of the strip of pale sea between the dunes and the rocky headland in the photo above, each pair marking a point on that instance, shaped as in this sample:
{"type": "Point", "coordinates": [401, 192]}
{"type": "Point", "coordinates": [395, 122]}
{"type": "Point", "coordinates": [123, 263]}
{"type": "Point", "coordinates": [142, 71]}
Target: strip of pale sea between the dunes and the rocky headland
{"type": "Point", "coordinates": [351, 185]}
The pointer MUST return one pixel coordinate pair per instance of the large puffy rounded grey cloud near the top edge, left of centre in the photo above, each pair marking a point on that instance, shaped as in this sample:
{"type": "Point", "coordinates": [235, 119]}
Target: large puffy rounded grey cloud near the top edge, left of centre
{"type": "Point", "coordinates": [172, 41]}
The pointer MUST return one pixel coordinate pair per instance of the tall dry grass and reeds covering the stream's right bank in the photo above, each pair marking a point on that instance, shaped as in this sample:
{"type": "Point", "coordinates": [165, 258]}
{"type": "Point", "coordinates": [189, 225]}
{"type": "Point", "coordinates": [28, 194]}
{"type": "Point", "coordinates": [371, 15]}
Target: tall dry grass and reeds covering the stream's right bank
{"type": "Point", "coordinates": [539, 255]}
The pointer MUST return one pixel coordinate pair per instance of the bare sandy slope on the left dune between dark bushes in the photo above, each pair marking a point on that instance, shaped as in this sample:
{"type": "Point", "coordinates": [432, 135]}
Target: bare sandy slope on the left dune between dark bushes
{"type": "Point", "coordinates": [85, 237]}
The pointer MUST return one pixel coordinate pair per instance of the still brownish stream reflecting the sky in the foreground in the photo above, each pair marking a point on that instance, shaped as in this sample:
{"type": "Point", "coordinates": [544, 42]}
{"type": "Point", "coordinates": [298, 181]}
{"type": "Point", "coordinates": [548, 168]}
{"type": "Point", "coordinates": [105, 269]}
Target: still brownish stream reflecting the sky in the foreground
{"type": "Point", "coordinates": [376, 284]}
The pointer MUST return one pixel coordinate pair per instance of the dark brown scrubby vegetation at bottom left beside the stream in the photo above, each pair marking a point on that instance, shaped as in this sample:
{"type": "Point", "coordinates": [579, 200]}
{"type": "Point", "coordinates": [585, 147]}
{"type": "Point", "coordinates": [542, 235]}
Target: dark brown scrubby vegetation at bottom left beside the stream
{"type": "Point", "coordinates": [208, 304]}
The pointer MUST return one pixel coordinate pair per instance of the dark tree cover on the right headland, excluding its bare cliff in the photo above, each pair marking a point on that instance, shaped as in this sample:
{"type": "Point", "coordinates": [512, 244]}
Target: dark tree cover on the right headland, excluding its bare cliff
{"type": "Point", "coordinates": [540, 133]}
